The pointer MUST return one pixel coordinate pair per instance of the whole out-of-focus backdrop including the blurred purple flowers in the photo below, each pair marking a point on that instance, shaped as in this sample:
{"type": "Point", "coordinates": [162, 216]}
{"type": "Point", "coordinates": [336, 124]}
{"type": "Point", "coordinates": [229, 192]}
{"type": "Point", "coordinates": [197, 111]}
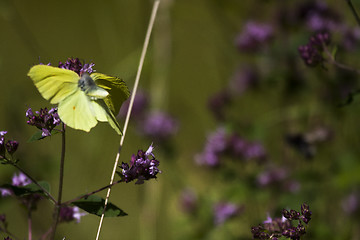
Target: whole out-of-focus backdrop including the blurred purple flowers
{"type": "Point", "coordinates": [258, 127]}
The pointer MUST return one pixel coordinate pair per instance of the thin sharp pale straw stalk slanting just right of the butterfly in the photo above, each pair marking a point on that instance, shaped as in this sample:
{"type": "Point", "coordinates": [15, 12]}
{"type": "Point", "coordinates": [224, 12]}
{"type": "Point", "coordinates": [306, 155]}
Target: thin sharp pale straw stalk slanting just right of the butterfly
{"type": "Point", "coordinates": [141, 63]}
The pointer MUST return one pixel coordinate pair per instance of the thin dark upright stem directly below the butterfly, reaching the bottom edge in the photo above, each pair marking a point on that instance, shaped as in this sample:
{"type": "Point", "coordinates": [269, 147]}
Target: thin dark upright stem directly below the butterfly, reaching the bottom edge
{"type": "Point", "coordinates": [61, 179]}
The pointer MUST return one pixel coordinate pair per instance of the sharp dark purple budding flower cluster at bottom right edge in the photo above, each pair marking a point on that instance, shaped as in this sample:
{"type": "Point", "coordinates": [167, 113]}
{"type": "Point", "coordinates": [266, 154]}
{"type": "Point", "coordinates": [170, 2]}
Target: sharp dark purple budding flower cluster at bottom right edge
{"type": "Point", "coordinates": [283, 227]}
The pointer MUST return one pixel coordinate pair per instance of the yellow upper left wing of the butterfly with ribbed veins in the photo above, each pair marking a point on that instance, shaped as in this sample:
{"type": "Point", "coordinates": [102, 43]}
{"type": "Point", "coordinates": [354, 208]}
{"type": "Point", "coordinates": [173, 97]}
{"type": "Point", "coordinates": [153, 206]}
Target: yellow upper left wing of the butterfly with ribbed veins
{"type": "Point", "coordinates": [54, 84]}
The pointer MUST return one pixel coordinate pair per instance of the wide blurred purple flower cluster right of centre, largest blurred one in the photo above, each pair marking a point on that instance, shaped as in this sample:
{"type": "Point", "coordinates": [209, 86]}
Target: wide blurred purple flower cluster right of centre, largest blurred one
{"type": "Point", "coordinates": [219, 143]}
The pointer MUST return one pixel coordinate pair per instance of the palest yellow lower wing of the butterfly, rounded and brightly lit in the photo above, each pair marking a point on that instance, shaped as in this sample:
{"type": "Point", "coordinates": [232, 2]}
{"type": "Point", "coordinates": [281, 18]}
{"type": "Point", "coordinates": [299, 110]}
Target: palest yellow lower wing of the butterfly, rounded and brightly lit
{"type": "Point", "coordinates": [77, 111]}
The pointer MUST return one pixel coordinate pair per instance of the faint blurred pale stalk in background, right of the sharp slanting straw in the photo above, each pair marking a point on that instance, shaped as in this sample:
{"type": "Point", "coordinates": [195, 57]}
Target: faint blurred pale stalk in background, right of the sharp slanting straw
{"type": "Point", "coordinates": [162, 51]}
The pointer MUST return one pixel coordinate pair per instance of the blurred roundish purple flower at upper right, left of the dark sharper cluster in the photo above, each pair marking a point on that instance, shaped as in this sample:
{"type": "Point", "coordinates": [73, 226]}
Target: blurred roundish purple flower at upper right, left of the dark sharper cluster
{"type": "Point", "coordinates": [253, 36]}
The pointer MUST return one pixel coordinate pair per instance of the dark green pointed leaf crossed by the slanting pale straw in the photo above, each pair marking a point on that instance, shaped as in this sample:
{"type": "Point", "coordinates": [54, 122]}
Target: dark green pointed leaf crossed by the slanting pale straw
{"type": "Point", "coordinates": [95, 205]}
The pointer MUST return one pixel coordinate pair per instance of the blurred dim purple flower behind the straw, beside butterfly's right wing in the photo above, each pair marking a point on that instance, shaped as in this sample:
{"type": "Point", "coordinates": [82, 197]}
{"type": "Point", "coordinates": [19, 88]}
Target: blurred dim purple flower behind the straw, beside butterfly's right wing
{"type": "Point", "coordinates": [140, 104]}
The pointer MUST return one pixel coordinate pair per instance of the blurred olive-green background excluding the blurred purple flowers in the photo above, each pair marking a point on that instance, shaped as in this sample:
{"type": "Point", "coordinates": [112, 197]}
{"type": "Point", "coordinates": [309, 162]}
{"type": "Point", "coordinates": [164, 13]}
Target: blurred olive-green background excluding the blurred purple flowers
{"type": "Point", "coordinates": [191, 56]}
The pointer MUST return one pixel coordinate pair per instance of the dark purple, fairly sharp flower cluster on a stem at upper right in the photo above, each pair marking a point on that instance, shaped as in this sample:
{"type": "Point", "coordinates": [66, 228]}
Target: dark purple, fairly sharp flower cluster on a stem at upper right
{"type": "Point", "coordinates": [311, 53]}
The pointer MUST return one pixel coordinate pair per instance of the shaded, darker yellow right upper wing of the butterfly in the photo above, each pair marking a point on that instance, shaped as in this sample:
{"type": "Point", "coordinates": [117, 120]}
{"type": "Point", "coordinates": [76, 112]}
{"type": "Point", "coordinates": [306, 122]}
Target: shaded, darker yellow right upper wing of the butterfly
{"type": "Point", "coordinates": [117, 89]}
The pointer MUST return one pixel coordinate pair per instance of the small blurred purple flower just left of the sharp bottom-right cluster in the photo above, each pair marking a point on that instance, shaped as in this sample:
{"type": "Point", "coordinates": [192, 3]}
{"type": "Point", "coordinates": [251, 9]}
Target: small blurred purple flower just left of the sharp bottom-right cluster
{"type": "Point", "coordinates": [224, 210]}
